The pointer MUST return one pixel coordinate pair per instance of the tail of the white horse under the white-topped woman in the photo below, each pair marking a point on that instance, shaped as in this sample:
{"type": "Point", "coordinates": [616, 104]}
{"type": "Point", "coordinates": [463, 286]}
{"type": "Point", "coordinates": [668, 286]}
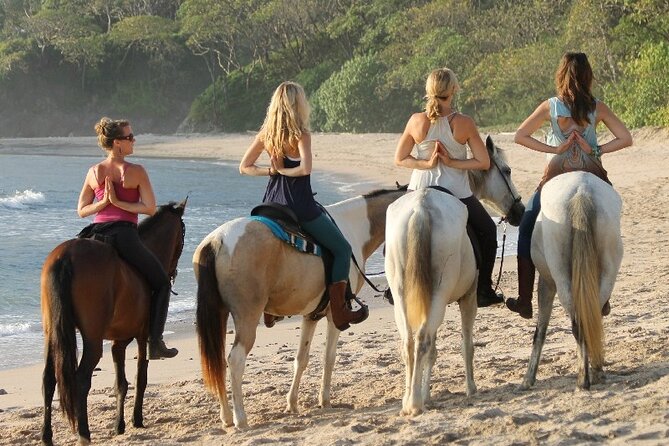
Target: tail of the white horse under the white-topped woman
{"type": "Point", "coordinates": [418, 272]}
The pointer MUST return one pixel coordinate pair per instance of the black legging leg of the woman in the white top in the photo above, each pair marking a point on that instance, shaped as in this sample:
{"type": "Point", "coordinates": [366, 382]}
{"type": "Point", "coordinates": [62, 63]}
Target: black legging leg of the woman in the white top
{"type": "Point", "coordinates": [486, 232]}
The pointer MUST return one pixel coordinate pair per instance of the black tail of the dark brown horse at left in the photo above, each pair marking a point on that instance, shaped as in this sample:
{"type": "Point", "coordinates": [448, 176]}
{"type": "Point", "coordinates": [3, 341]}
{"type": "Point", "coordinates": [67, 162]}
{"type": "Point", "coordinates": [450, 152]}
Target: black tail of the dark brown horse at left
{"type": "Point", "coordinates": [60, 335]}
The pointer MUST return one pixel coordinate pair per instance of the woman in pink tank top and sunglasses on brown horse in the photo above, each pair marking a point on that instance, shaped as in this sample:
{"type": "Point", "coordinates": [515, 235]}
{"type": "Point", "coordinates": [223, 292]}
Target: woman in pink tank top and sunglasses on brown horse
{"type": "Point", "coordinates": [116, 191]}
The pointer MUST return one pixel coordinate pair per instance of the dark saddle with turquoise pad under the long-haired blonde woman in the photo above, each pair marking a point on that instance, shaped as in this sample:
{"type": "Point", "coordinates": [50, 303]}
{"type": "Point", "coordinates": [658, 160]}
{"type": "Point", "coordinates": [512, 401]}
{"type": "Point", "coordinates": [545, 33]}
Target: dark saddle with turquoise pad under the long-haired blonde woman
{"type": "Point", "coordinates": [286, 219]}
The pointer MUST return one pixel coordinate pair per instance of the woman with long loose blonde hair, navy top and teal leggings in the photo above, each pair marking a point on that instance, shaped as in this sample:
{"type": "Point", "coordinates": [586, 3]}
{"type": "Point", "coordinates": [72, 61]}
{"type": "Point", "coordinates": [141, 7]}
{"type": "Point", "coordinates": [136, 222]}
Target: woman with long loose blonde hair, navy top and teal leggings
{"type": "Point", "coordinates": [286, 137]}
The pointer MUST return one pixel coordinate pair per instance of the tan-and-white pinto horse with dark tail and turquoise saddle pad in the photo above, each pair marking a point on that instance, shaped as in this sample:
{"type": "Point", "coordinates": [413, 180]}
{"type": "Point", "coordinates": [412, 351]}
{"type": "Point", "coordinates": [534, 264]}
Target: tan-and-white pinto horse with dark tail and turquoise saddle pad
{"type": "Point", "coordinates": [243, 269]}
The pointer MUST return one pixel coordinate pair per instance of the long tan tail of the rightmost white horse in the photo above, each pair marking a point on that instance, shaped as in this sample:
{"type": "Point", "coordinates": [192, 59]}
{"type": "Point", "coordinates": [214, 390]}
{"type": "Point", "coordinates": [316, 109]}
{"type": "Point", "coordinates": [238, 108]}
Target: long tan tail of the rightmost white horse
{"type": "Point", "coordinates": [585, 273]}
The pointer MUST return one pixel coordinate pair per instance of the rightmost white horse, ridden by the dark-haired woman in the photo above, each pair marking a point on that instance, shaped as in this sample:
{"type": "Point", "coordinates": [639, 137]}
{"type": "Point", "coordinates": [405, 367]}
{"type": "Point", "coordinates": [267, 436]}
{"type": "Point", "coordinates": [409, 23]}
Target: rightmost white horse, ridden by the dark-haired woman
{"type": "Point", "coordinates": [577, 249]}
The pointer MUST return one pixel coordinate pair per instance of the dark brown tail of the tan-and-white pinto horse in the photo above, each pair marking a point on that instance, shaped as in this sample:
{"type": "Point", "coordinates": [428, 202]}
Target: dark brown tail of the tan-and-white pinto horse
{"type": "Point", "coordinates": [211, 317]}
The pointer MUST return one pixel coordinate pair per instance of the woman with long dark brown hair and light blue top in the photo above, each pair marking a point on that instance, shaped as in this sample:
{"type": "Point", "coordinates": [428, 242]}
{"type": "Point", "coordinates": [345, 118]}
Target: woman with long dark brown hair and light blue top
{"type": "Point", "coordinates": [573, 114]}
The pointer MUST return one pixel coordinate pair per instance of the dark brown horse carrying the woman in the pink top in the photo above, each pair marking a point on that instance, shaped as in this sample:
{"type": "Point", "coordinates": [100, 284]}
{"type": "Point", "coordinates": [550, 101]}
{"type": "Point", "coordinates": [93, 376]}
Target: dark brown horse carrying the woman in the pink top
{"type": "Point", "coordinates": [86, 285]}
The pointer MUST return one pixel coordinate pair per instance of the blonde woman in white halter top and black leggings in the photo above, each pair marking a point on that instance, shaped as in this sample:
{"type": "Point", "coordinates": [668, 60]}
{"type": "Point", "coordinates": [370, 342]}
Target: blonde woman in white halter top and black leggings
{"type": "Point", "coordinates": [440, 136]}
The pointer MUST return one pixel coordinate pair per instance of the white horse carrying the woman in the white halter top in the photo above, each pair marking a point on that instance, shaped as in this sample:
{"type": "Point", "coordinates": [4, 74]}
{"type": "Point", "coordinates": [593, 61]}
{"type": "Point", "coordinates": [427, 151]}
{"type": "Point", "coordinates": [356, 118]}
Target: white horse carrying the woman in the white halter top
{"type": "Point", "coordinates": [430, 263]}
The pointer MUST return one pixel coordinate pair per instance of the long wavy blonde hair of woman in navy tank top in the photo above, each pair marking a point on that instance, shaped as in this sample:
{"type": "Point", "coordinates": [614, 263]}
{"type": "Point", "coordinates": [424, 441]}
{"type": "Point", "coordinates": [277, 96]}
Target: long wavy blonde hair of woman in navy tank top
{"type": "Point", "coordinates": [286, 120]}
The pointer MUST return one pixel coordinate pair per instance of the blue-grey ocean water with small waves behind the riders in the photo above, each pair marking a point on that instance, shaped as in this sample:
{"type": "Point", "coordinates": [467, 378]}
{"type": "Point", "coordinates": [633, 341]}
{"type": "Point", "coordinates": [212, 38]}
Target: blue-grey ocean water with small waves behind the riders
{"type": "Point", "coordinates": [38, 199]}
